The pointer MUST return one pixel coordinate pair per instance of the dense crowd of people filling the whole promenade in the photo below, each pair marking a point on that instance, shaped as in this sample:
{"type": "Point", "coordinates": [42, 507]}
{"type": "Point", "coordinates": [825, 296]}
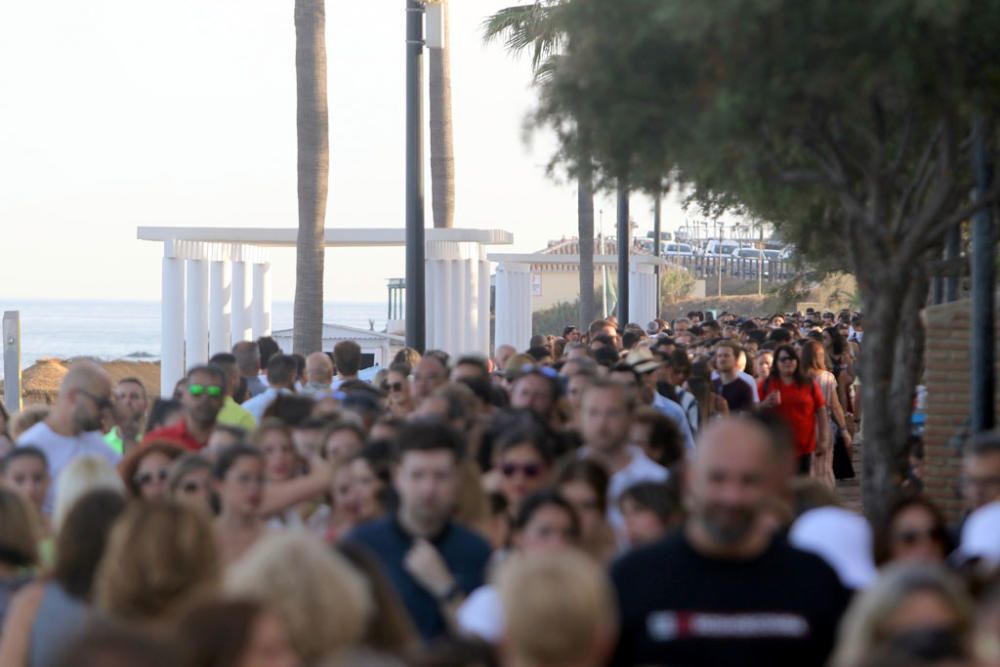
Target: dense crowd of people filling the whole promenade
{"type": "Point", "coordinates": [626, 495]}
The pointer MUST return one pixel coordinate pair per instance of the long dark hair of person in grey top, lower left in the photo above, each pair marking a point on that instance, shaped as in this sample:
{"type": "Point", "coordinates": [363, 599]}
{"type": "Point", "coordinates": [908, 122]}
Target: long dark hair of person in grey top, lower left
{"type": "Point", "coordinates": [82, 540]}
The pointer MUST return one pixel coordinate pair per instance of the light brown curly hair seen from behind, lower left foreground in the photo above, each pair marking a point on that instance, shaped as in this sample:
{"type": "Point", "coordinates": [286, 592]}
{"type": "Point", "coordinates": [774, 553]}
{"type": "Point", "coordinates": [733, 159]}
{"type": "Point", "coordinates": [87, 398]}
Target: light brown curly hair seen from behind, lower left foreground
{"type": "Point", "coordinates": [161, 559]}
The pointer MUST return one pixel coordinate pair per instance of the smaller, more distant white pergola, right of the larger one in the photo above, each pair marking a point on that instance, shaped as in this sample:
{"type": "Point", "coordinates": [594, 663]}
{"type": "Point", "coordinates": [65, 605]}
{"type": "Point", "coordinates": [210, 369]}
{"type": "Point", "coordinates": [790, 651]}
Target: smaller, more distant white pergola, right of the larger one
{"type": "Point", "coordinates": [513, 290]}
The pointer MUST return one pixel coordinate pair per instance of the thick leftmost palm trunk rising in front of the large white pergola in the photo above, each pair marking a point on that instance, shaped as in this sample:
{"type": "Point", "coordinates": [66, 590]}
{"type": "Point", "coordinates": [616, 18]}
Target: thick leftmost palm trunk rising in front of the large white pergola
{"type": "Point", "coordinates": [312, 127]}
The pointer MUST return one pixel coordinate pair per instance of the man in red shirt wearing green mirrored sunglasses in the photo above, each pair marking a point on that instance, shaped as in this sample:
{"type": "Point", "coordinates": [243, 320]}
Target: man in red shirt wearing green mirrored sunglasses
{"type": "Point", "coordinates": [204, 393]}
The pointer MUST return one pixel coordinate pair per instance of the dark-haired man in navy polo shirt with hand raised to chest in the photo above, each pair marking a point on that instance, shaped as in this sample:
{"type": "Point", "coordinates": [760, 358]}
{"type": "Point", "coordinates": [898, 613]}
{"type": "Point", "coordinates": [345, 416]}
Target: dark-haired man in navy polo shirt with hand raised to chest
{"type": "Point", "coordinates": [431, 561]}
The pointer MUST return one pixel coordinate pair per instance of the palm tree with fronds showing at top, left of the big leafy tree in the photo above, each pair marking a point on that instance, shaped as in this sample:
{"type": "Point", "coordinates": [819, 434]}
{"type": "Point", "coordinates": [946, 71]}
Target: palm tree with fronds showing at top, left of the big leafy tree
{"type": "Point", "coordinates": [536, 28]}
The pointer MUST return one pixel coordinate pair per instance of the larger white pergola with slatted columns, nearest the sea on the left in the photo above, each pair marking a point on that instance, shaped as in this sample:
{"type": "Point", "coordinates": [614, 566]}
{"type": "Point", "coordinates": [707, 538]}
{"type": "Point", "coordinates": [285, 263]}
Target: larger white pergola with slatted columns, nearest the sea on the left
{"type": "Point", "coordinates": [216, 287]}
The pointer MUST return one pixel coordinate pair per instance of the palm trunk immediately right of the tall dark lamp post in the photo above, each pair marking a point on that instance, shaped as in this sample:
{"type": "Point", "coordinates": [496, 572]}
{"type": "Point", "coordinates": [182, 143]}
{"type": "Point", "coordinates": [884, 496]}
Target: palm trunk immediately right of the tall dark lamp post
{"type": "Point", "coordinates": [442, 141]}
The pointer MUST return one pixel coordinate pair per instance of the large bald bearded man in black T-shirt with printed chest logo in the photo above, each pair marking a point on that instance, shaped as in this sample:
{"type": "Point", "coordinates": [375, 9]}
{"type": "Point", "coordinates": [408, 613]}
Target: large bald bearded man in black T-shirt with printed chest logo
{"type": "Point", "coordinates": [726, 590]}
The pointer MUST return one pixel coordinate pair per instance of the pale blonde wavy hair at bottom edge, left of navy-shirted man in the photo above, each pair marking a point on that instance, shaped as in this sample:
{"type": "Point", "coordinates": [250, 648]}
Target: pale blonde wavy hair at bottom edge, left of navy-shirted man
{"type": "Point", "coordinates": [323, 601]}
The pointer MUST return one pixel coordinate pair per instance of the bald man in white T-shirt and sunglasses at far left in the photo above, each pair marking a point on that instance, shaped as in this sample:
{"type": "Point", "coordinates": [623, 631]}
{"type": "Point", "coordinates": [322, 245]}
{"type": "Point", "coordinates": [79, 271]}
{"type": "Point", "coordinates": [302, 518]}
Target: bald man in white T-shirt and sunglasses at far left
{"type": "Point", "coordinates": [73, 427]}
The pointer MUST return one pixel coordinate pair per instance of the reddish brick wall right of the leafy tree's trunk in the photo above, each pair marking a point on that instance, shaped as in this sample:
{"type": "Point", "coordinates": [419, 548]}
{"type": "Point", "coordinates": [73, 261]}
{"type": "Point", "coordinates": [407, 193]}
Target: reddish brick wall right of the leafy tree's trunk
{"type": "Point", "coordinates": [947, 377]}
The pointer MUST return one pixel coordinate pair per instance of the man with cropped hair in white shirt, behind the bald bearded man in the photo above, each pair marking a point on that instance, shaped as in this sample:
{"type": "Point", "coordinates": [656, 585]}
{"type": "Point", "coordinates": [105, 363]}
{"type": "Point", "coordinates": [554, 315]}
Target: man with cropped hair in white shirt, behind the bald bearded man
{"type": "Point", "coordinates": [605, 417]}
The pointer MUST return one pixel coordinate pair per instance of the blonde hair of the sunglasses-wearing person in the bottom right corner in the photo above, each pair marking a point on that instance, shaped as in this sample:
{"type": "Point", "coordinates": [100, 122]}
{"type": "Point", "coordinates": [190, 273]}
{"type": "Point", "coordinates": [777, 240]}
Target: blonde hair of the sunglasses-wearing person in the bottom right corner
{"type": "Point", "coordinates": [863, 627]}
